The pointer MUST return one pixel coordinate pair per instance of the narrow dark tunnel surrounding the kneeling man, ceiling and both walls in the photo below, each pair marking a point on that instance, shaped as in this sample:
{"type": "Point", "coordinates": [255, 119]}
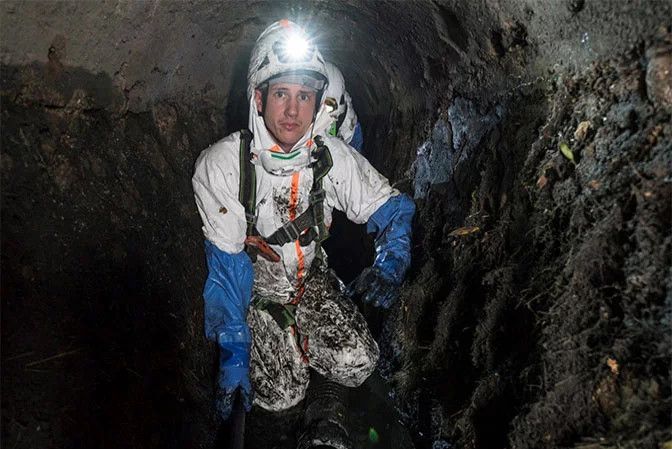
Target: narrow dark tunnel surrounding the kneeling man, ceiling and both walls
{"type": "Point", "coordinates": [534, 137]}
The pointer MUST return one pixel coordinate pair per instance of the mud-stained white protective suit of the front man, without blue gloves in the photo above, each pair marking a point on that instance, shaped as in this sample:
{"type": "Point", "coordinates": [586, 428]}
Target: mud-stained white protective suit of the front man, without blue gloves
{"type": "Point", "coordinates": [330, 334]}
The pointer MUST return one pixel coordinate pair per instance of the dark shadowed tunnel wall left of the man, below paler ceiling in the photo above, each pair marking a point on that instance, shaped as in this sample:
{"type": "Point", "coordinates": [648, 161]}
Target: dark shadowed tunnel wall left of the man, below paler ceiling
{"type": "Point", "coordinates": [101, 267]}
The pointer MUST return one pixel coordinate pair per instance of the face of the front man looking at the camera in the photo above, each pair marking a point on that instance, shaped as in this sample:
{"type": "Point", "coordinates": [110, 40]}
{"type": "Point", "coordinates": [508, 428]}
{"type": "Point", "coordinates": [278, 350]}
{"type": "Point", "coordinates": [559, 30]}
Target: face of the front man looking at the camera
{"type": "Point", "coordinates": [288, 113]}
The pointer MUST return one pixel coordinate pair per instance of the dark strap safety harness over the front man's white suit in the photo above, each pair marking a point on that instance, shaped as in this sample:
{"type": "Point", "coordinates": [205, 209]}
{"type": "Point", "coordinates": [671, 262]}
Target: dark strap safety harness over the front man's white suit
{"type": "Point", "coordinates": [306, 228]}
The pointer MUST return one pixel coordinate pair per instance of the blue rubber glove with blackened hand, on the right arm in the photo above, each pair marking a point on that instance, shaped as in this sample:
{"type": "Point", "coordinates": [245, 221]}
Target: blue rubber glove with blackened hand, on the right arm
{"type": "Point", "coordinates": [379, 284]}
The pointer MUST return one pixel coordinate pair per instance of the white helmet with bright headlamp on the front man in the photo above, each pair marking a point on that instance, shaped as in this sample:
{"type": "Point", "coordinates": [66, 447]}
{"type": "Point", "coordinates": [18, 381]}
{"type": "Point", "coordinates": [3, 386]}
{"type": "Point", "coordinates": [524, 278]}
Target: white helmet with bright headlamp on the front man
{"type": "Point", "coordinates": [285, 53]}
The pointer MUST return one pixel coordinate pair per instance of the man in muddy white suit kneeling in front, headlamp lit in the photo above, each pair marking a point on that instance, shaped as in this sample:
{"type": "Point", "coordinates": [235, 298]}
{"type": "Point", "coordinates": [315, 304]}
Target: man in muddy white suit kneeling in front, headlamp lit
{"type": "Point", "coordinates": [285, 314]}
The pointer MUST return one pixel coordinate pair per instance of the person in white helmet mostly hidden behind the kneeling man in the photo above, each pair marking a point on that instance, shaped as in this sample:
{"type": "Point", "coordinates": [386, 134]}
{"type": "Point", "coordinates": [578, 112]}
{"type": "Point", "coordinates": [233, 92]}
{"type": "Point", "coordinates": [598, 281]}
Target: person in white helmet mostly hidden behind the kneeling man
{"type": "Point", "coordinates": [338, 118]}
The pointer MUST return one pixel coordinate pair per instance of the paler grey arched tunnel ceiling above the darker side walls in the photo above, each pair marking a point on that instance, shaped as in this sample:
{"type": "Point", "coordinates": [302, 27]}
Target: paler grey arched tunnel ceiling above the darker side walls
{"type": "Point", "coordinates": [399, 58]}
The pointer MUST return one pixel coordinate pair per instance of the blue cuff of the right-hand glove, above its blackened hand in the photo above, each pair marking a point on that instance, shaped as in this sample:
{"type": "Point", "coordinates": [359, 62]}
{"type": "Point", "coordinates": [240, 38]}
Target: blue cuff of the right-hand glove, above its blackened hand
{"type": "Point", "coordinates": [392, 224]}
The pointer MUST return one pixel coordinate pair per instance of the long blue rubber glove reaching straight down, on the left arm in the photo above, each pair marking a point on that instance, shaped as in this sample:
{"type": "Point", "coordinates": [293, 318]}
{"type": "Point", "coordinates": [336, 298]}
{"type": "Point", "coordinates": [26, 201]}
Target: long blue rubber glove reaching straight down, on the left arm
{"type": "Point", "coordinates": [227, 295]}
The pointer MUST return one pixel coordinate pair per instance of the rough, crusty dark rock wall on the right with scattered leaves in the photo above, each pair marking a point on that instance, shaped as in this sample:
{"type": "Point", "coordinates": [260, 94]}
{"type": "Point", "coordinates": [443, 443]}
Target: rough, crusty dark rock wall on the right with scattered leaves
{"type": "Point", "coordinates": [541, 318]}
